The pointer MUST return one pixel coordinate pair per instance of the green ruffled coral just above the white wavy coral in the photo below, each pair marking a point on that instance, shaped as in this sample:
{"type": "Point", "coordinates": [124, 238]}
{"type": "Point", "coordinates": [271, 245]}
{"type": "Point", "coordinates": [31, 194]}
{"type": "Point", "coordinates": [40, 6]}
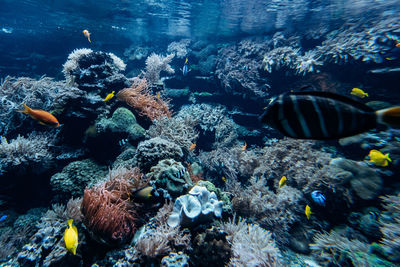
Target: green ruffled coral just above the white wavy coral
{"type": "Point", "coordinates": [170, 176]}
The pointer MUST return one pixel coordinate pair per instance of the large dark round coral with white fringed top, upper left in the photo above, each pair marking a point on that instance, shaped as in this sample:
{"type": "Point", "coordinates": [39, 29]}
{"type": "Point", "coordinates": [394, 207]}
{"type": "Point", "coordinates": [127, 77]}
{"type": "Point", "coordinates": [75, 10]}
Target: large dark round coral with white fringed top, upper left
{"type": "Point", "coordinates": [95, 71]}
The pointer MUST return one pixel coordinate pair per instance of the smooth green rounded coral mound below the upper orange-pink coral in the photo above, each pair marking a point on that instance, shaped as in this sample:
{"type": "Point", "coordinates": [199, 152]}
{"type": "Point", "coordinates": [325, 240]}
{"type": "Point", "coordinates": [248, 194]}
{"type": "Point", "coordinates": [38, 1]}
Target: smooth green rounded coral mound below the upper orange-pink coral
{"type": "Point", "coordinates": [122, 122]}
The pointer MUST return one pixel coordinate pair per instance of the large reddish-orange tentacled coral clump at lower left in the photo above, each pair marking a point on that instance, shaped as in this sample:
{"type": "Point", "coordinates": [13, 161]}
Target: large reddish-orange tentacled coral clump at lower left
{"type": "Point", "coordinates": [108, 213]}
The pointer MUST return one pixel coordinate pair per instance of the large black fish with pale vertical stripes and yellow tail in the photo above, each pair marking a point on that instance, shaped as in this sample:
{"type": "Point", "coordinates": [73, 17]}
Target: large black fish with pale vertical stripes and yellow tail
{"type": "Point", "coordinates": [324, 115]}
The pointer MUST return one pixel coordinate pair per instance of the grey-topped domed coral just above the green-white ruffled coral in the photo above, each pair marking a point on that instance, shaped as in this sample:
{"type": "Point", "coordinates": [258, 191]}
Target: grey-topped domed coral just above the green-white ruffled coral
{"type": "Point", "coordinates": [151, 151]}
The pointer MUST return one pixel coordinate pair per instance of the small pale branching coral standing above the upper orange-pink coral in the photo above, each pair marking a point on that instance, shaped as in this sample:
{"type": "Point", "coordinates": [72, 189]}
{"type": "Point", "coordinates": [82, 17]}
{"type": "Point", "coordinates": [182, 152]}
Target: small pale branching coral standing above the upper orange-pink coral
{"type": "Point", "coordinates": [155, 64]}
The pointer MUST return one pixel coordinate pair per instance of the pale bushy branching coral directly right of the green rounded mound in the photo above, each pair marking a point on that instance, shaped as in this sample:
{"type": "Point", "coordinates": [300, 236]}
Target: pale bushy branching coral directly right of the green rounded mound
{"type": "Point", "coordinates": [180, 131]}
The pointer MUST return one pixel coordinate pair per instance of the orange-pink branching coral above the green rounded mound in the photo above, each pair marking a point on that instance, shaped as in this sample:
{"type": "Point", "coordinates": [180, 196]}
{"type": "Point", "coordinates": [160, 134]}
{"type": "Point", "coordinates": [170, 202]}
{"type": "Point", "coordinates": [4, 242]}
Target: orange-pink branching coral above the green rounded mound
{"type": "Point", "coordinates": [139, 97]}
